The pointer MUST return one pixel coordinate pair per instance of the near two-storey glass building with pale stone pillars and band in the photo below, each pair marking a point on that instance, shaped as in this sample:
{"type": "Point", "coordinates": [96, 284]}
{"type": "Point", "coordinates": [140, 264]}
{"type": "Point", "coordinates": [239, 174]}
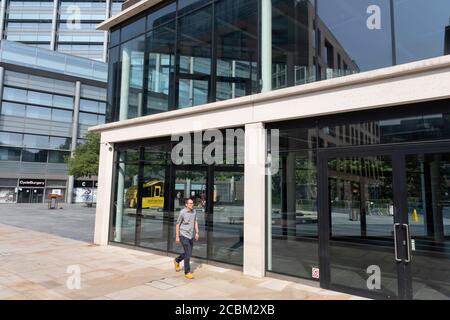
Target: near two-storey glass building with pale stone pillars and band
{"type": "Point", "coordinates": [344, 147]}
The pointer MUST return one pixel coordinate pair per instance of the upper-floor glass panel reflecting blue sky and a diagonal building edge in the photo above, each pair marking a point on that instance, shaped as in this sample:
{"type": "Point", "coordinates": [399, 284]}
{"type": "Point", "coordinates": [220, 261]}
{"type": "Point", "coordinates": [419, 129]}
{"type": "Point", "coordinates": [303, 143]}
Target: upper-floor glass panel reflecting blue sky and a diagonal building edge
{"type": "Point", "coordinates": [359, 30]}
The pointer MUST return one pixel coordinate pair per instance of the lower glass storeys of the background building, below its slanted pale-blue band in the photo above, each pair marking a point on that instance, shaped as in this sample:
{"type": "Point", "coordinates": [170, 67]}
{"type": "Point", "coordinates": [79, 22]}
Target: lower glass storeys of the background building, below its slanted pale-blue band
{"type": "Point", "coordinates": [36, 120]}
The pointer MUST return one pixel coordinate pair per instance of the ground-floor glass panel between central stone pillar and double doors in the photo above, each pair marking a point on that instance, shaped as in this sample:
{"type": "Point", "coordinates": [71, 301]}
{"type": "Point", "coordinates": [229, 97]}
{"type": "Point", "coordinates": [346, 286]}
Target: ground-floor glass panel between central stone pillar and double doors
{"type": "Point", "coordinates": [293, 213]}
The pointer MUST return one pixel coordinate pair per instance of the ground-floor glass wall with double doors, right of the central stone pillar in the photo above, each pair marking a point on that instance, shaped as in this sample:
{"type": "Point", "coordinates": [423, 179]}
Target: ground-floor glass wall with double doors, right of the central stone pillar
{"type": "Point", "coordinates": [361, 183]}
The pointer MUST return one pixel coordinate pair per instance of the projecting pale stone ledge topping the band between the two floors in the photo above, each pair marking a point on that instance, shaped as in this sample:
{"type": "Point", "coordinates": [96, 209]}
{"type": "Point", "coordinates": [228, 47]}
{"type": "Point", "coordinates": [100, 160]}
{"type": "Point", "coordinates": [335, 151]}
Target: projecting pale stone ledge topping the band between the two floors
{"type": "Point", "coordinates": [315, 88]}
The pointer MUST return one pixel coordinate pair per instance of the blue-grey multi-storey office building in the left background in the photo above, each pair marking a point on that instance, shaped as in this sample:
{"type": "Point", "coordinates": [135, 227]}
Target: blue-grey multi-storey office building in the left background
{"type": "Point", "coordinates": [53, 76]}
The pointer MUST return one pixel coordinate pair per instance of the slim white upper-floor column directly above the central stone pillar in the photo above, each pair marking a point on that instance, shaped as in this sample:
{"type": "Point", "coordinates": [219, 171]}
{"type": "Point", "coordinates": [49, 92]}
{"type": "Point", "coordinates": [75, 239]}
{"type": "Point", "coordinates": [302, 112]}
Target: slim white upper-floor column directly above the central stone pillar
{"type": "Point", "coordinates": [266, 45]}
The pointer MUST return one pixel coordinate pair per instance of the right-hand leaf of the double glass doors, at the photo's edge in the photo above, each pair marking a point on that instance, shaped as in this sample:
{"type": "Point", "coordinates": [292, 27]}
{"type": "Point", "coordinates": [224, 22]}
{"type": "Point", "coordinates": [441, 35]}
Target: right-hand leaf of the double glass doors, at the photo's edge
{"type": "Point", "coordinates": [428, 214]}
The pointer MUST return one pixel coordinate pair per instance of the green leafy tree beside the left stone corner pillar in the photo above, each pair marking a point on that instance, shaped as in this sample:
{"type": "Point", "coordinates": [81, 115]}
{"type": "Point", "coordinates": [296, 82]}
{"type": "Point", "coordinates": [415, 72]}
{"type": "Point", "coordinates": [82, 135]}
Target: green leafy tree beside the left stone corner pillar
{"type": "Point", "coordinates": [86, 157]}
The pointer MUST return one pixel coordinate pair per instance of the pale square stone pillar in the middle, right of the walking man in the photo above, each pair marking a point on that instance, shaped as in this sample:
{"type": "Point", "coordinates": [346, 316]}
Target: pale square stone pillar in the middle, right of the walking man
{"type": "Point", "coordinates": [254, 202]}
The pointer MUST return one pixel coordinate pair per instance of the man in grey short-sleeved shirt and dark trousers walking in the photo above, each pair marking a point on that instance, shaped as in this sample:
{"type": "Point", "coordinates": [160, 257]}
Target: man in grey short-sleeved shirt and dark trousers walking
{"type": "Point", "coordinates": [187, 221]}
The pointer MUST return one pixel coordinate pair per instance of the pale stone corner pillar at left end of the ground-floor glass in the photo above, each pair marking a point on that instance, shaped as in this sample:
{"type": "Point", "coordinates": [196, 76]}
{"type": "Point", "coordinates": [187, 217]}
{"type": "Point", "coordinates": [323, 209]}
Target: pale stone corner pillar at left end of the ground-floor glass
{"type": "Point", "coordinates": [104, 194]}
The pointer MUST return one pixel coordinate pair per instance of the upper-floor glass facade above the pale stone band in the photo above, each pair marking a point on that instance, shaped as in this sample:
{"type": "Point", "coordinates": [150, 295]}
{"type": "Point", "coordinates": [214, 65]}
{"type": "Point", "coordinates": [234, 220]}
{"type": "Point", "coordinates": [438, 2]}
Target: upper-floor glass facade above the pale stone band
{"type": "Point", "coordinates": [187, 53]}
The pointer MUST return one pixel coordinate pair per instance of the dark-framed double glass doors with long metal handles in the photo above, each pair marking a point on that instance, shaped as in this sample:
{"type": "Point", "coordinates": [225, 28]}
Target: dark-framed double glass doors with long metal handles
{"type": "Point", "coordinates": [385, 224]}
